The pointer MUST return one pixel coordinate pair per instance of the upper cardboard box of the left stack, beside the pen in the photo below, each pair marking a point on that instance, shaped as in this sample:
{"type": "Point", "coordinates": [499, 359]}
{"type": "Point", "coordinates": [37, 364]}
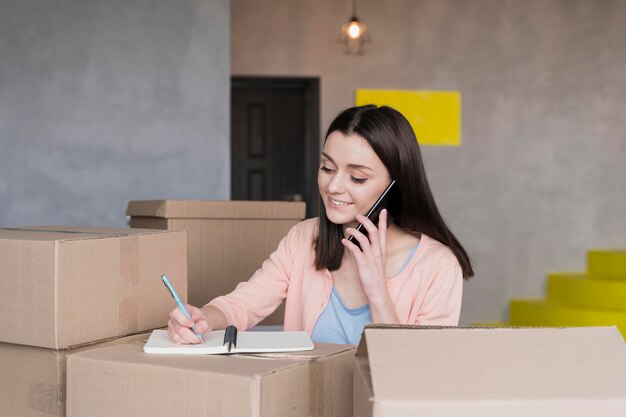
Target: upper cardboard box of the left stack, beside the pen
{"type": "Point", "coordinates": [67, 286]}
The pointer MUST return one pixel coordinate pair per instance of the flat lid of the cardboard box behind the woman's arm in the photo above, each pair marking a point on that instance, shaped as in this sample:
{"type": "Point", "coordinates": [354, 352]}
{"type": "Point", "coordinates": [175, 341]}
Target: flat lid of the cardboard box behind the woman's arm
{"type": "Point", "coordinates": [216, 209]}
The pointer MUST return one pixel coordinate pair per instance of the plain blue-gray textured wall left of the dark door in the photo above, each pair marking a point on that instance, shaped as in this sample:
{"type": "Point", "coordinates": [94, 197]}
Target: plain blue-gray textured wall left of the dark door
{"type": "Point", "coordinates": [102, 102]}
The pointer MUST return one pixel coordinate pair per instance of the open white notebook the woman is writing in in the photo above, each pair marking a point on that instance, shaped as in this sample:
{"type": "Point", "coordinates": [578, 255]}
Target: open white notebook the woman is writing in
{"type": "Point", "coordinates": [232, 341]}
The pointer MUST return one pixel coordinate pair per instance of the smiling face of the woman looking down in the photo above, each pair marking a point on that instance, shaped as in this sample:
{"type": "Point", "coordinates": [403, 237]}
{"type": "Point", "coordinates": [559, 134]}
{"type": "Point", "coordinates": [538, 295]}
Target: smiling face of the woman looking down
{"type": "Point", "coordinates": [350, 179]}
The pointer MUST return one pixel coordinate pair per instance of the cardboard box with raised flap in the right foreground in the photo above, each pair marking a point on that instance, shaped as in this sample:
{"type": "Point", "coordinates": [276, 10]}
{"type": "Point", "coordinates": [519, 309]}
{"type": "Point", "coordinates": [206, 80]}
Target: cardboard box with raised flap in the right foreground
{"type": "Point", "coordinates": [485, 372]}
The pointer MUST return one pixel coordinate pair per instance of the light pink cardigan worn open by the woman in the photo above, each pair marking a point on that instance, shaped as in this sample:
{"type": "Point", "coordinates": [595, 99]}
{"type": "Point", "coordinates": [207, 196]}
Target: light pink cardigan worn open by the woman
{"type": "Point", "coordinates": [428, 290]}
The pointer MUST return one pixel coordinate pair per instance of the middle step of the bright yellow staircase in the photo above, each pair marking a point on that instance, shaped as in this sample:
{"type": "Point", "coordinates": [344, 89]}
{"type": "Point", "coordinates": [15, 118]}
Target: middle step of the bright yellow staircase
{"type": "Point", "coordinates": [576, 289]}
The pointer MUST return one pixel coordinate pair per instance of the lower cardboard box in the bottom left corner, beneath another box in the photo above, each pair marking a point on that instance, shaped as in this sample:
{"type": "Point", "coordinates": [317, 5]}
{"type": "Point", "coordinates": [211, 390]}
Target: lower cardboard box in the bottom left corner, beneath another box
{"type": "Point", "coordinates": [32, 381]}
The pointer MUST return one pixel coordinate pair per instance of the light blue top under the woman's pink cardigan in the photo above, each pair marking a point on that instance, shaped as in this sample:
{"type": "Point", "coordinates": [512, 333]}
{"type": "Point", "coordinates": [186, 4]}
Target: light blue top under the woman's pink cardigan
{"type": "Point", "coordinates": [340, 324]}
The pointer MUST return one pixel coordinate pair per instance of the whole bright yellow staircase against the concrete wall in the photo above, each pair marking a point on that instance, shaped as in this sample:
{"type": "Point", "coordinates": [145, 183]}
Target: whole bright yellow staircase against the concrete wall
{"type": "Point", "coordinates": [594, 298]}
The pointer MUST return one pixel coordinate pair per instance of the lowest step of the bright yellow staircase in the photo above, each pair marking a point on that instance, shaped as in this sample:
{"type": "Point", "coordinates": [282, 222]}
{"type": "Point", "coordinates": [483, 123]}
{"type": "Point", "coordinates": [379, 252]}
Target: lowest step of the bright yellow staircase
{"type": "Point", "coordinates": [545, 314]}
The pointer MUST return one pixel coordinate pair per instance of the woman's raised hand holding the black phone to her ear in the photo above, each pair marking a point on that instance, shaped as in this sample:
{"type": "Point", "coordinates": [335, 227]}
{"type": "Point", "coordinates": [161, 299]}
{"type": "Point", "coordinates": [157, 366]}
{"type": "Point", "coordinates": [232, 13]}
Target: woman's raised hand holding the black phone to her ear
{"type": "Point", "coordinates": [371, 258]}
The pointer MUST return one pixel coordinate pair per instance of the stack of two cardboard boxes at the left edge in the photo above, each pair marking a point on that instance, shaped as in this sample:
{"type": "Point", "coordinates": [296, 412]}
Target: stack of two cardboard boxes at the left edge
{"type": "Point", "coordinates": [69, 289]}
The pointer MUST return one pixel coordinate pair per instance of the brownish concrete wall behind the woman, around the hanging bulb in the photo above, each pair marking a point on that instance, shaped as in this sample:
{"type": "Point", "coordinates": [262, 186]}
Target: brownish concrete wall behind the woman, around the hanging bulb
{"type": "Point", "coordinates": [541, 174]}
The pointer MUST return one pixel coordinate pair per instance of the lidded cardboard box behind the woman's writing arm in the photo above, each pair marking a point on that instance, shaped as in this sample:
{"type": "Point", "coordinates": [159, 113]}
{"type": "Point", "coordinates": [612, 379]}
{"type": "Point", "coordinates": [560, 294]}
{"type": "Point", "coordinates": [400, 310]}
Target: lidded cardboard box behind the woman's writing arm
{"type": "Point", "coordinates": [228, 240]}
